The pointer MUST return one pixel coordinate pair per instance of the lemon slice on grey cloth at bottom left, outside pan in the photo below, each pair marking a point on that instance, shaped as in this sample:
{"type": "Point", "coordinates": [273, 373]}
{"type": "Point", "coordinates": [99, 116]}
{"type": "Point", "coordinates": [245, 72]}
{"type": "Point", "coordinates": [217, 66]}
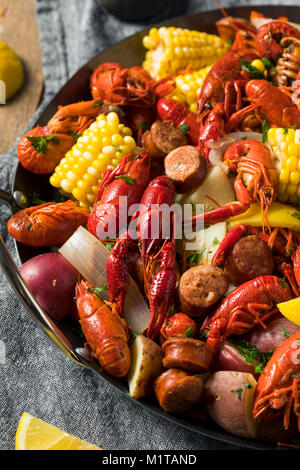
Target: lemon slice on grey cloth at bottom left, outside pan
{"type": "Point", "coordinates": [36, 434]}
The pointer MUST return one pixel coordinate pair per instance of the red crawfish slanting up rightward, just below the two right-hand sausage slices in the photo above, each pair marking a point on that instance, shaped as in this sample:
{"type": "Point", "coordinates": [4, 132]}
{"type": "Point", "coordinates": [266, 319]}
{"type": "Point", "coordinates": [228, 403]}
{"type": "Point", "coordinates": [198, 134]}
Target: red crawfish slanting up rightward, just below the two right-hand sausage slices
{"type": "Point", "coordinates": [249, 304]}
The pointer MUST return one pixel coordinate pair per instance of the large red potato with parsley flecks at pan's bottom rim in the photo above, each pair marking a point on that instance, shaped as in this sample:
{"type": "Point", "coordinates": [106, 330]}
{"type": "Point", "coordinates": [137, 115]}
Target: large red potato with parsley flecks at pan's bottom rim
{"type": "Point", "coordinates": [228, 398]}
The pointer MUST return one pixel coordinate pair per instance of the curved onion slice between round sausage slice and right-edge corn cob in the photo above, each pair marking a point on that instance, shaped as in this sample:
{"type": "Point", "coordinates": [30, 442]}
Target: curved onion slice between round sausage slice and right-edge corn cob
{"type": "Point", "coordinates": [216, 154]}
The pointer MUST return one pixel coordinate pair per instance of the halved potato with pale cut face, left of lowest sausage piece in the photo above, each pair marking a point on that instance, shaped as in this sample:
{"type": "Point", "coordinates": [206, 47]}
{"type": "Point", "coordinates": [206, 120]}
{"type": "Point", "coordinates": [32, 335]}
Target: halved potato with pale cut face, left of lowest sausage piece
{"type": "Point", "coordinates": [146, 366]}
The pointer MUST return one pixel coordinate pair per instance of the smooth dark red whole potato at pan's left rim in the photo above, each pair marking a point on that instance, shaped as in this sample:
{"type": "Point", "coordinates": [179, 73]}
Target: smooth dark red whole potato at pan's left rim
{"type": "Point", "coordinates": [51, 279]}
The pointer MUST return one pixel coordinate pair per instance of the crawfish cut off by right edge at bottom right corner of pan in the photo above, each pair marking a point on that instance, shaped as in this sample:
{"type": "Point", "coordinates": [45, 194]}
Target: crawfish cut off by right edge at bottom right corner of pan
{"type": "Point", "coordinates": [278, 387]}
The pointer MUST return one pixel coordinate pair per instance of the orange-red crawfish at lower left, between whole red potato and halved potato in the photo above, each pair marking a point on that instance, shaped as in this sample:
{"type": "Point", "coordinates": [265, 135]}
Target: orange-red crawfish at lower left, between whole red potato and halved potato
{"type": "Point", "coordinates": [105, 332]}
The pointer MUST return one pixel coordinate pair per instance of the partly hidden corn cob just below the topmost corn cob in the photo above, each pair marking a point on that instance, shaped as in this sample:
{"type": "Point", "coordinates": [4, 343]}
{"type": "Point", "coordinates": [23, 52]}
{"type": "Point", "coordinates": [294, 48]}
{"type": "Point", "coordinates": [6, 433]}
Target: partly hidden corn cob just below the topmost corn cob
{"type": "Point", "coordinates": [188, 87]}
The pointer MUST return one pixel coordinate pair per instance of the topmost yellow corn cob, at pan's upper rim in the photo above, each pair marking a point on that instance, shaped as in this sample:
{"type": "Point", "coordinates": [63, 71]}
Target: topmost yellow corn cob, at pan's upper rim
{"type": "Point", "coordinates": [172, 49]}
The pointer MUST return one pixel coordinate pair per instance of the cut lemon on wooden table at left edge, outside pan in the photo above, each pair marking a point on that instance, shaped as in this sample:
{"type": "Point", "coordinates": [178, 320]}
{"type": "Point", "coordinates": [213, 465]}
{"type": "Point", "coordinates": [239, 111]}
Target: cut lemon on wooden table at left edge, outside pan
{"type": "Point", "coordinates": [11, 70]}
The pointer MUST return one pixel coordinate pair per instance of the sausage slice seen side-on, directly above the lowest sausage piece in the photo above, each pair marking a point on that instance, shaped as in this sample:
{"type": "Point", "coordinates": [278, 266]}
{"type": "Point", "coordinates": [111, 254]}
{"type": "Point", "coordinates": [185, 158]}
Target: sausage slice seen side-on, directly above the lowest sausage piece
{"type": "Point", "coordinates": [187, 353]}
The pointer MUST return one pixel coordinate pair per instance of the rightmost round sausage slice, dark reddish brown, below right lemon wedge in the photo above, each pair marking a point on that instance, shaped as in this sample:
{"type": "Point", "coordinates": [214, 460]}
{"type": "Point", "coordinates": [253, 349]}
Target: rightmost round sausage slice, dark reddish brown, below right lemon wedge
{"type": "Point", "coordinates": [250, 257]}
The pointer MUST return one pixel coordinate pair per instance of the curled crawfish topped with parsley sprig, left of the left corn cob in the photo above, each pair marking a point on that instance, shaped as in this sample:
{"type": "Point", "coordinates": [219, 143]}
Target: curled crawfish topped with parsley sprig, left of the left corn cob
{"type": "Point", "coordinates": [41, 149]}
